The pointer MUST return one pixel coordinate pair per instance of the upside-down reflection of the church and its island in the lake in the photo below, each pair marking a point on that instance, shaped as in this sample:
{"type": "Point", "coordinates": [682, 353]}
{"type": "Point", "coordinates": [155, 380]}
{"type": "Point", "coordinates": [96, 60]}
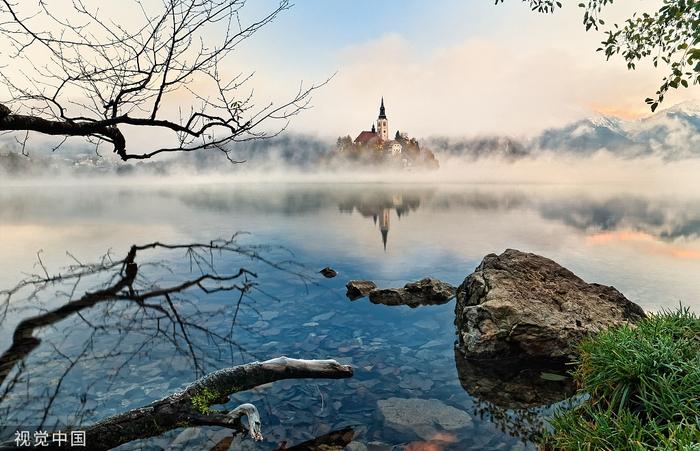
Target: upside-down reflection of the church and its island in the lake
{"type": "Point", "coordinates": [379, 206]}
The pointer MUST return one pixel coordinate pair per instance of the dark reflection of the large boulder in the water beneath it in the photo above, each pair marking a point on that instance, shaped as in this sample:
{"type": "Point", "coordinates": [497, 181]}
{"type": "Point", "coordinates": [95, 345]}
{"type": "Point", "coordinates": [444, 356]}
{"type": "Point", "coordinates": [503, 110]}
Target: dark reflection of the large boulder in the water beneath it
{"type": "Point", "coordinates": [513, 394]}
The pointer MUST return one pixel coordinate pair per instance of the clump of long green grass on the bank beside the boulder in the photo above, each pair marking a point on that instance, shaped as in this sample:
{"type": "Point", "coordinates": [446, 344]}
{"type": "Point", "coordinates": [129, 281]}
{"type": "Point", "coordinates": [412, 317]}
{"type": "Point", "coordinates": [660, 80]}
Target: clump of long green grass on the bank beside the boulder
{"type": "Point", "coordinates": [642, 384]}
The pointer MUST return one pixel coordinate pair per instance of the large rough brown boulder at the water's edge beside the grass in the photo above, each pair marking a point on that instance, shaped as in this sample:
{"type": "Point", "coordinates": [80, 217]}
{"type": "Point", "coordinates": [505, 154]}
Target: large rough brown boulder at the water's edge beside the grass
{"type": "Point", "coordinates": [523, 305]}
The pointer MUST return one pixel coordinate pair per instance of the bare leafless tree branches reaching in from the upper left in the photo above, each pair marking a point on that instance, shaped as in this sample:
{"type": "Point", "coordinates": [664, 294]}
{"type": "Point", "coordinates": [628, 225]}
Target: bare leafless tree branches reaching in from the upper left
{"type": "Point", "coordinates": [75, 72]}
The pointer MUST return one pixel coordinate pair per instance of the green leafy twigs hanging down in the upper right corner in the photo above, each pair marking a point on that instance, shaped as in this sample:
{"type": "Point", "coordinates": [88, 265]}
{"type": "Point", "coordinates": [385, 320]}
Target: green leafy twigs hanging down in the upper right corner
{"type": "Point", "coordinates": [669, 36]}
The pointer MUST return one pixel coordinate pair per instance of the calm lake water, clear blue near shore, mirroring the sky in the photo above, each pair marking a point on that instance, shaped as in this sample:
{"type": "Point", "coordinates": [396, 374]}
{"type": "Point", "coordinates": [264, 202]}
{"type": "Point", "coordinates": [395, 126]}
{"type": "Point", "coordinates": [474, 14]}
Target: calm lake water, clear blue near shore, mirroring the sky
{"type": "Point", "coordinates": [646, 244]}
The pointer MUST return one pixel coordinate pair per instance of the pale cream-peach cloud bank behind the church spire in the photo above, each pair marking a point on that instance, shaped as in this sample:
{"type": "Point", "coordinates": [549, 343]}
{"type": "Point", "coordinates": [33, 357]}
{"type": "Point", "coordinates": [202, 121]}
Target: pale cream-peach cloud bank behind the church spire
{"type": "Point", "coordinates": [544, 73]}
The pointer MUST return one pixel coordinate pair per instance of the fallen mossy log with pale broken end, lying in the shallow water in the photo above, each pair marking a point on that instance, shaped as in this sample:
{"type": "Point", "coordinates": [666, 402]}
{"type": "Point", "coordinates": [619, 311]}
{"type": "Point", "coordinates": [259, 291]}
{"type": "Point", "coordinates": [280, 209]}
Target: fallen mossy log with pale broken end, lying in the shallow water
{"type": "Point", "coordinates": [192, 406]}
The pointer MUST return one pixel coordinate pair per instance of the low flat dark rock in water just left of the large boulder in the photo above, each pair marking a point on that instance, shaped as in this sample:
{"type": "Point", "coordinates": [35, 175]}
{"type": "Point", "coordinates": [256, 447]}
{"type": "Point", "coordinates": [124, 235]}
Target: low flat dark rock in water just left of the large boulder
{"type": "Point", "coordinates": [424, 292]}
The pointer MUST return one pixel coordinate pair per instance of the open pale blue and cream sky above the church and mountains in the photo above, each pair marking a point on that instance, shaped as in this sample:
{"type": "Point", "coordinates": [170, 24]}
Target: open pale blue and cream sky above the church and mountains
{"type": "Point", "coordinates": [447, 67]}
